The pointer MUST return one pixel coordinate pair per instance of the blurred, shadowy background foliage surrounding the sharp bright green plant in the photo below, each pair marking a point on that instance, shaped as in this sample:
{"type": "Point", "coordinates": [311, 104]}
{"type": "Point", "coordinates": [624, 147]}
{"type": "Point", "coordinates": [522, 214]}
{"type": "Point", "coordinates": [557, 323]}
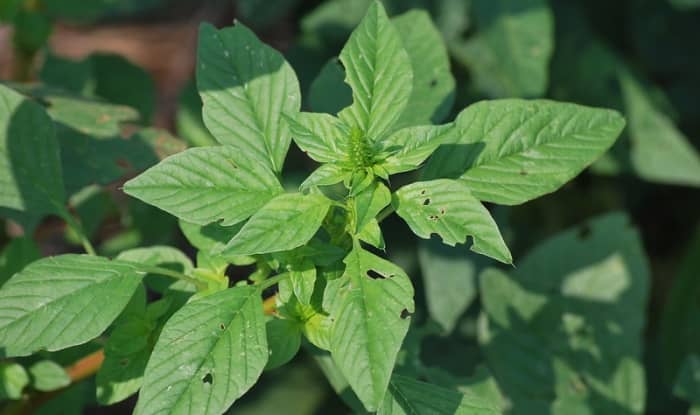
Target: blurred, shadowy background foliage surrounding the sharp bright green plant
{"type": "Point", "coordinates": [601, 314]}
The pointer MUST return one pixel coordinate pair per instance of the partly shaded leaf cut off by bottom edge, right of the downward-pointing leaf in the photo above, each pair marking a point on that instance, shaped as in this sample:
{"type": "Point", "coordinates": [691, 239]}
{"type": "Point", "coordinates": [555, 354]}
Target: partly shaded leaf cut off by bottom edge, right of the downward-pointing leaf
{"type": "Point", "coordinates": [408, 396]}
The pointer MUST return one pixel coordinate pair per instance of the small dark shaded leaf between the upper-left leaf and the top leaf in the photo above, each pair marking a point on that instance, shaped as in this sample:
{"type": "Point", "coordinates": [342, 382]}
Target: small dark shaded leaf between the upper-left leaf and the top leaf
{"type": "Point", "coordinates": [328, 92]}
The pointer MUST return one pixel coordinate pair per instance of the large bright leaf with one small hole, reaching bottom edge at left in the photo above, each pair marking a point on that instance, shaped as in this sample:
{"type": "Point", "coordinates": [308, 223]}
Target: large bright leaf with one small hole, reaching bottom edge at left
{"type": "Point", "coordinates": [209, 353]}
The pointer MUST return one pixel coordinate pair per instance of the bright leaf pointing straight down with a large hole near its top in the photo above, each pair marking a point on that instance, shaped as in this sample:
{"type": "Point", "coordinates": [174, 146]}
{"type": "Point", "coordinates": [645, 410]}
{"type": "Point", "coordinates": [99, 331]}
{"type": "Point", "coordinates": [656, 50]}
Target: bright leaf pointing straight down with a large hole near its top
{"type": "Point", "coordinates": [371, 319]}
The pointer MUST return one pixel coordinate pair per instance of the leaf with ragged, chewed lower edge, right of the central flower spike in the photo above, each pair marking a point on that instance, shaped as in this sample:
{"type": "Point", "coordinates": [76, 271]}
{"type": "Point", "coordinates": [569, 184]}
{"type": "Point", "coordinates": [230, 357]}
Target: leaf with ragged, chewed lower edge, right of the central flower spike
{"type": "Point", "coordinates": [448, 208]}
